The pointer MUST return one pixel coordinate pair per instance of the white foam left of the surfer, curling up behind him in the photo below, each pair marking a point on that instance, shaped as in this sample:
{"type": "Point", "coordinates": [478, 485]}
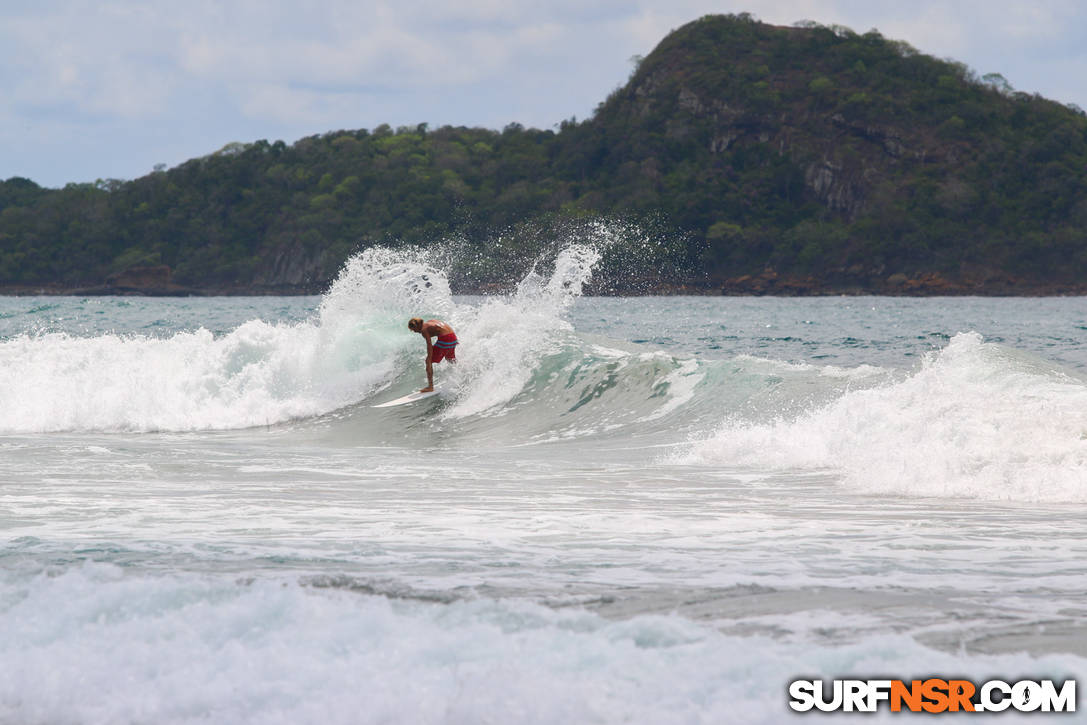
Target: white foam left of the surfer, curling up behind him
{"type": "Point", "coordinates": [258, 374]}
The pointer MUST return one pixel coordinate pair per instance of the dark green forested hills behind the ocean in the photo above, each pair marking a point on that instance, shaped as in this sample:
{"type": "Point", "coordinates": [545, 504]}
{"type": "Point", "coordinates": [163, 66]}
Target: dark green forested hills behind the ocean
{"type": "Point", "coordinates": [811, 151]}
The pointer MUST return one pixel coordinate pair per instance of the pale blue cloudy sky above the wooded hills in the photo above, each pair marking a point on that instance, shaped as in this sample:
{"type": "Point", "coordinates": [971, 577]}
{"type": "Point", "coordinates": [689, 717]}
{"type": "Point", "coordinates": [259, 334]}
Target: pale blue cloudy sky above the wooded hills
{"type": "Point", "coordinates": [109, 89]}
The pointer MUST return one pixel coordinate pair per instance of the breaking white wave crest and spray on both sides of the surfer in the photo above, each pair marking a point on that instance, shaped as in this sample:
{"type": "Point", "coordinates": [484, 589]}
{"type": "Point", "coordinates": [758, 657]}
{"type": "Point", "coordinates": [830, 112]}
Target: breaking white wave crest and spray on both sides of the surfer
{"type": "Point", "coordinates": [264, 374]}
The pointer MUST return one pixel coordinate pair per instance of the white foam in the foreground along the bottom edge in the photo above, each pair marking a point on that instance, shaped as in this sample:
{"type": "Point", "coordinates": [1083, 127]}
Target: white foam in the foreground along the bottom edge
{"type": "Point", "coordinates": [98, 645]}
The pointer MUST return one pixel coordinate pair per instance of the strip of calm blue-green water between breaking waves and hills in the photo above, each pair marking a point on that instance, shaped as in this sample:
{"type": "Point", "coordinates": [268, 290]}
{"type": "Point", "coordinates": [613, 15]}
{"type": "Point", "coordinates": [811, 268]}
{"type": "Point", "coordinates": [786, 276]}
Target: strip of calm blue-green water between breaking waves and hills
{"type": "Point", "coordinates": [851, 331]}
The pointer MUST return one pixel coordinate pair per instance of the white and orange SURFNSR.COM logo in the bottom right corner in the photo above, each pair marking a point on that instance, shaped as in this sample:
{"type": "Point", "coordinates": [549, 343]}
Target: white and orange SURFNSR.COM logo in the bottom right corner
{"type": "Point", "coordinates": [933, 696]}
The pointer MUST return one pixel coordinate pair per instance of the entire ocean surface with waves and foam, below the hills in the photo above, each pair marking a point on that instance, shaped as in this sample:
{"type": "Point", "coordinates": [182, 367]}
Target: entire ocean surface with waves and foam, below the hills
{"type": "Point", "coordinates": [642, 510]}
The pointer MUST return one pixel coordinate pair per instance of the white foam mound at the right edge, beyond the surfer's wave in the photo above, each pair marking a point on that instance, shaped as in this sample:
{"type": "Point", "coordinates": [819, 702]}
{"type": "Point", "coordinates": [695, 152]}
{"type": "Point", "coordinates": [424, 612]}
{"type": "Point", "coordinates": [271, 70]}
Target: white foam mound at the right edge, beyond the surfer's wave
{"type": "Point", "coordinates": [976, 421]}
